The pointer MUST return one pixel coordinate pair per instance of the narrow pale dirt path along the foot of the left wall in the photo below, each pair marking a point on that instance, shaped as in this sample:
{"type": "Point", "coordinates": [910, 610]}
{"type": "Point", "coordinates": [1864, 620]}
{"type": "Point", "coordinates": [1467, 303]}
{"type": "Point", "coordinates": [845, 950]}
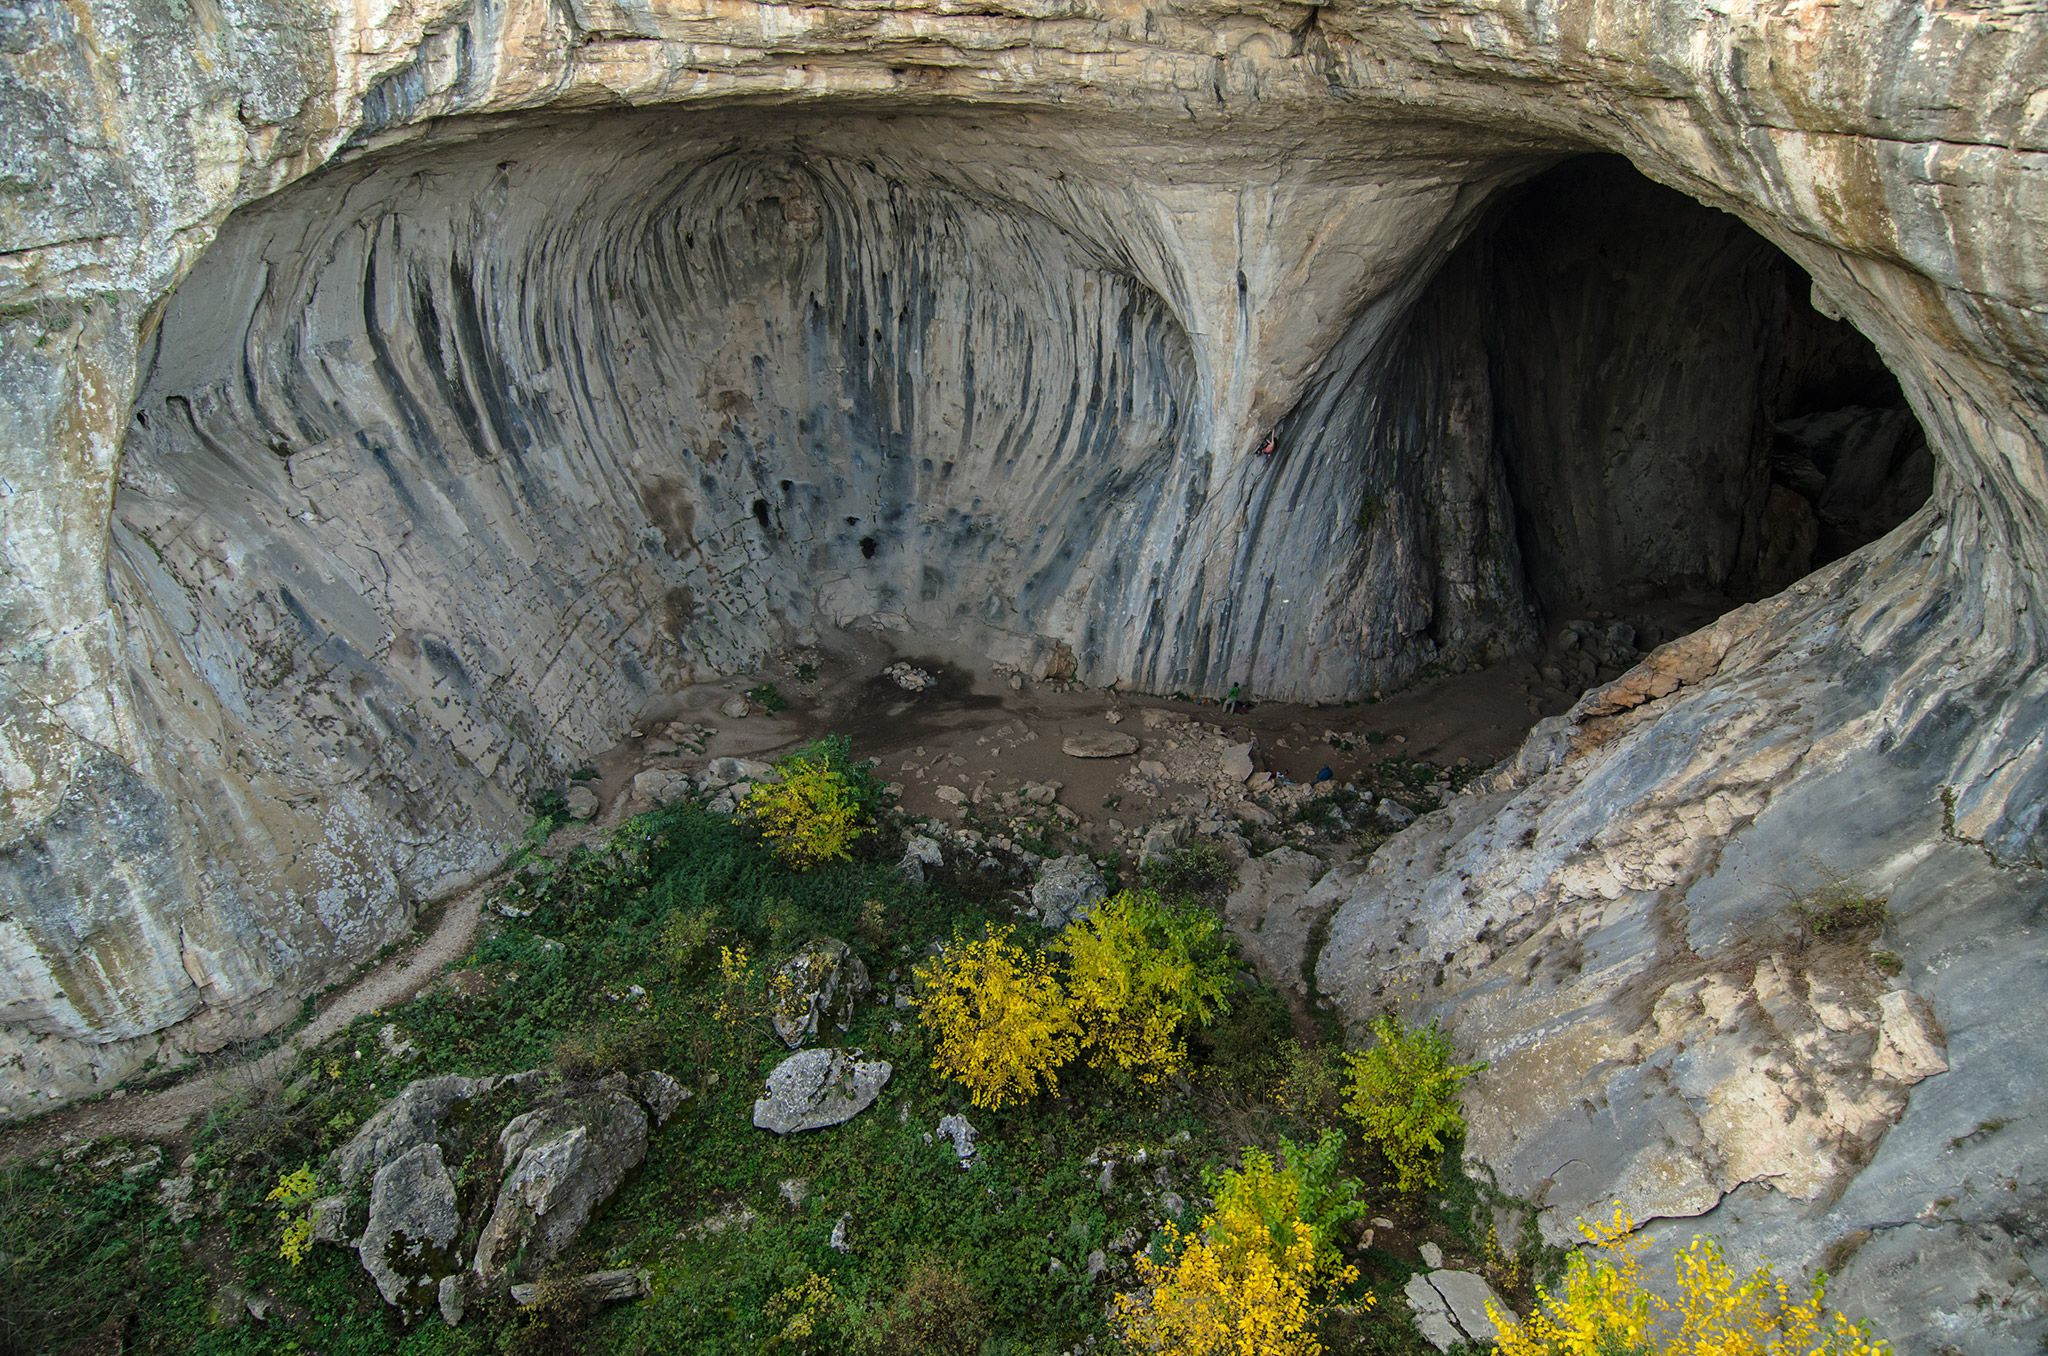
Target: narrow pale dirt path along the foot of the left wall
{"type": "Point", "coordinates": [171, 1111]}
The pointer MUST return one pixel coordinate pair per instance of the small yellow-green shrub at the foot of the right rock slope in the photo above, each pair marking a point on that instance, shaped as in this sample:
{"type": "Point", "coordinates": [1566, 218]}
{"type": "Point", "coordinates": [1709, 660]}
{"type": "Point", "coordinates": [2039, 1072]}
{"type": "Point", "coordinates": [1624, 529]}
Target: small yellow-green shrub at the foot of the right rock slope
{"type": "Point", "coordinates": [1404, 1095]}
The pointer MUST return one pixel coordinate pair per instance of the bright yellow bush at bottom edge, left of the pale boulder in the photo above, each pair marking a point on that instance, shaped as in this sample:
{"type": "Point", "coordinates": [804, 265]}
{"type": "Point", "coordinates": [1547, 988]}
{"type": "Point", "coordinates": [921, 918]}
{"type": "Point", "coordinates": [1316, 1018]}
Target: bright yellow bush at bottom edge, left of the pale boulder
{"type": "Point", "coordinates": [1244, 1285]}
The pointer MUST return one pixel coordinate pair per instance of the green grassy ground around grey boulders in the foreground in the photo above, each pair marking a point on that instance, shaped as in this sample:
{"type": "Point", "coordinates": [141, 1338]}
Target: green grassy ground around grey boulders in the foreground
{"type": "Point", "coordinates": [652, 949]}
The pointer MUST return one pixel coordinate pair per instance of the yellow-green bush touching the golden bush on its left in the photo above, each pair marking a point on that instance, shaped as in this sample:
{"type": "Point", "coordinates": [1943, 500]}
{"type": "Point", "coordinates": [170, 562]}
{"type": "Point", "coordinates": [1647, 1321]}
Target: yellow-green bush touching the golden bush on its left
{"type": "Point", "coordinates": [1140, 974]}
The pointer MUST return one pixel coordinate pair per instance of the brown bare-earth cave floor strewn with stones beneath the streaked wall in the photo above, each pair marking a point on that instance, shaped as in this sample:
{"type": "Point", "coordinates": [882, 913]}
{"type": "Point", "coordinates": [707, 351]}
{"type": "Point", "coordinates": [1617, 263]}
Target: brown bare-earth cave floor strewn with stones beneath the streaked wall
{"type": "Point", "coordinates": [988, 740]}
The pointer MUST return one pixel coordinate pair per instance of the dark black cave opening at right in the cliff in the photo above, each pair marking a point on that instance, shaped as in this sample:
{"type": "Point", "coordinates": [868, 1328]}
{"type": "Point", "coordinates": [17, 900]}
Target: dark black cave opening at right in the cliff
{"type": "Point", "coordinates": [1680, 427]}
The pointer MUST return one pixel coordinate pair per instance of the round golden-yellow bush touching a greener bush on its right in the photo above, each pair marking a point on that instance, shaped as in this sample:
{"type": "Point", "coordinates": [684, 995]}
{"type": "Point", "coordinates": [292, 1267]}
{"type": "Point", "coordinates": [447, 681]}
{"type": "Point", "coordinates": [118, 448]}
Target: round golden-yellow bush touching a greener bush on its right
{"type": "Point", "coordinates": [998, 1019]}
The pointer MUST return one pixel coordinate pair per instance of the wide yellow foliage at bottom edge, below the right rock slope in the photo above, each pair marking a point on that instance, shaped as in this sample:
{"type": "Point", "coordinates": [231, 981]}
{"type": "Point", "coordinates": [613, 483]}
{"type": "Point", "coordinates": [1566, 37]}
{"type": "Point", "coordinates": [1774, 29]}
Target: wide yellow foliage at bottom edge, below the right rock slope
{"type": "Point", "coordinates": [1607, 1310]}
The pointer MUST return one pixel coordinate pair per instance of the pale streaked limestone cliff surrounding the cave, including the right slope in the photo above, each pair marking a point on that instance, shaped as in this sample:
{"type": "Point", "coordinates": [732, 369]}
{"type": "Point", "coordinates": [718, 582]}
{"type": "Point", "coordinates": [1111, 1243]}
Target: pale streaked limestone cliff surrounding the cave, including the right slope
{"type": "Point", "coordinates": [398, 396]}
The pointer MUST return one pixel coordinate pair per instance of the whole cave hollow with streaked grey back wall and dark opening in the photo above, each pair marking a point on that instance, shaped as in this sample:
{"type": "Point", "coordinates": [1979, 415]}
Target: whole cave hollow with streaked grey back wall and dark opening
{"type": "Point", "coordinates": [452, 462]}
